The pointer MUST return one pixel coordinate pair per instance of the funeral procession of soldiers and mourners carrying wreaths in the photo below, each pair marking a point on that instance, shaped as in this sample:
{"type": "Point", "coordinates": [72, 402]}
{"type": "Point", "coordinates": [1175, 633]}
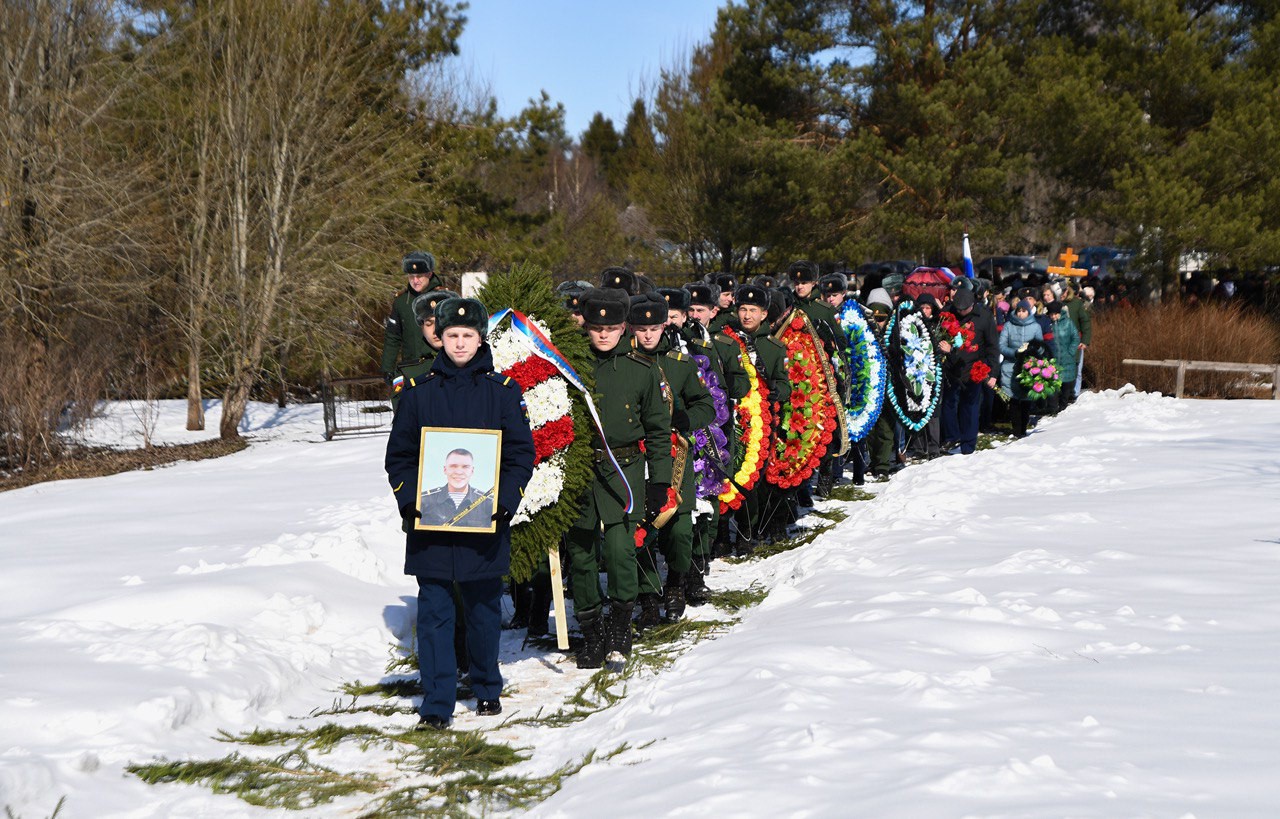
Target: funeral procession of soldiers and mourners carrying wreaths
{"type": "Point", "coordinates": [693, 383]}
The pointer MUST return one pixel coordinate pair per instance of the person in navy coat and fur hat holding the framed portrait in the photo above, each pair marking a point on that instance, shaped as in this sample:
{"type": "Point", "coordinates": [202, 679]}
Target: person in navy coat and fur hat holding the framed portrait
{"type": "Point", "coordinates": [461, 391]}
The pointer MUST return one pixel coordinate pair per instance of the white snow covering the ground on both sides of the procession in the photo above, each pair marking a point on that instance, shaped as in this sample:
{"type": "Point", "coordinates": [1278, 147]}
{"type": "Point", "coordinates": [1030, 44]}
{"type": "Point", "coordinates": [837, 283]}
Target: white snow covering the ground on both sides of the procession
{"type": "Point", "coordinates": [1085, 624]}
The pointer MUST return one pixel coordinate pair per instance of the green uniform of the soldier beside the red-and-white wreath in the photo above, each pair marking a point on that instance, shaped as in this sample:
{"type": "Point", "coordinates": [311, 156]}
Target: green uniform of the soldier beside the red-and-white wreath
{"type": "Point", "coordinates": [629, 397]}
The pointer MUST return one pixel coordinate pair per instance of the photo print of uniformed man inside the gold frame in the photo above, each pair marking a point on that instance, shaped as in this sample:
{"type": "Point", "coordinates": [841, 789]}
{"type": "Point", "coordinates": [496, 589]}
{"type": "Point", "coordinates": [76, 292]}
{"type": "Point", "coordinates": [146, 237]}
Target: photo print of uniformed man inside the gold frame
{"type": "Point", "coordinates": [459, 504]}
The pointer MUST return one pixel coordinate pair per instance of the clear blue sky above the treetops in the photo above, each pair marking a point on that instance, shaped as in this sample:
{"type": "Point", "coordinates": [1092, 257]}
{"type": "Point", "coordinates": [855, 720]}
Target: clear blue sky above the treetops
{"type": "Point", "coordinates": [592, 56]}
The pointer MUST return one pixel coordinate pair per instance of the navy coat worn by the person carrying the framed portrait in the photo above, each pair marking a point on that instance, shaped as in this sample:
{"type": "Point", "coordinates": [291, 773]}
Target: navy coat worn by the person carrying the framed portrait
{"type": "Point", "coordinates": [469, 397]}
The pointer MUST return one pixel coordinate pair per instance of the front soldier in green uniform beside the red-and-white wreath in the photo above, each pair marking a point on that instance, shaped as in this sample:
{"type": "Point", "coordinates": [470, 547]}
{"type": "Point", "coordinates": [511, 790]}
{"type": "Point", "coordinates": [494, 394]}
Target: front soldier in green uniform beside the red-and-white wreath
{"type": "Point", "coordinates": [629, 397]}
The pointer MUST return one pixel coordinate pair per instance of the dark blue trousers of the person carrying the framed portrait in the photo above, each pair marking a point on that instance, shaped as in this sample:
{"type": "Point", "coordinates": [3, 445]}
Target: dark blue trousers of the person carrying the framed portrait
{"type": "Point", "coordinates": [482, 608]}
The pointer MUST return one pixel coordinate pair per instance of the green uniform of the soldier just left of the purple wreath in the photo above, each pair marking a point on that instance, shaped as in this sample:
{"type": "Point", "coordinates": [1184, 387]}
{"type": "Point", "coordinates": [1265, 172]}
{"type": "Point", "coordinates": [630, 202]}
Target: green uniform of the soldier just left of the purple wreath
{"type": "Point", "coordinates": [691, 399]}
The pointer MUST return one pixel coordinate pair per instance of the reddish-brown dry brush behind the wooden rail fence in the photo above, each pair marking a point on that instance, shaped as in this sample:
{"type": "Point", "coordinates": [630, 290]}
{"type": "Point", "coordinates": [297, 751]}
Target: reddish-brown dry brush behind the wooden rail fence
{"type": "Point", "coordinates": [1177, 331]}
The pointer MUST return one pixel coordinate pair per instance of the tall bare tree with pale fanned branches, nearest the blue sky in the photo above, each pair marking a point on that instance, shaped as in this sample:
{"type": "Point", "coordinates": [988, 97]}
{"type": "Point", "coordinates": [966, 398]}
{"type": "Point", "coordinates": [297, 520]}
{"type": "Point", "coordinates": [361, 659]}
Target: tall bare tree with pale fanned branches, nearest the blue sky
{"type": "Point", "coordinates": [305, 173]}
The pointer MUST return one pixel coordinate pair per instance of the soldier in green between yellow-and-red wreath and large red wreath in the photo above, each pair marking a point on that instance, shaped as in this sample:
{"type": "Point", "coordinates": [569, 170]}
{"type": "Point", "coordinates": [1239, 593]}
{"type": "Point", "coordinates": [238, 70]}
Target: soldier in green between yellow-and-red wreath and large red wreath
{"type": "Point", "coordinates": [770, 359]}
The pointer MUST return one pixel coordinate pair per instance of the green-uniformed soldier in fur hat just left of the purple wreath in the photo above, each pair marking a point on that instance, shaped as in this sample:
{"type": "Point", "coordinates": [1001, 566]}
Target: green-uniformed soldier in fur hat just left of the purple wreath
{"type": "Point", "coordinates": [692, 409]}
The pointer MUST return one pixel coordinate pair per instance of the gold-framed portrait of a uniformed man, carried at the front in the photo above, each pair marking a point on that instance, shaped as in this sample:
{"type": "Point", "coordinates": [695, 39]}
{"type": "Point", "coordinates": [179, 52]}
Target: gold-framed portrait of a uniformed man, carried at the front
{"type": "Point", "coordinates": [458, 479]}
